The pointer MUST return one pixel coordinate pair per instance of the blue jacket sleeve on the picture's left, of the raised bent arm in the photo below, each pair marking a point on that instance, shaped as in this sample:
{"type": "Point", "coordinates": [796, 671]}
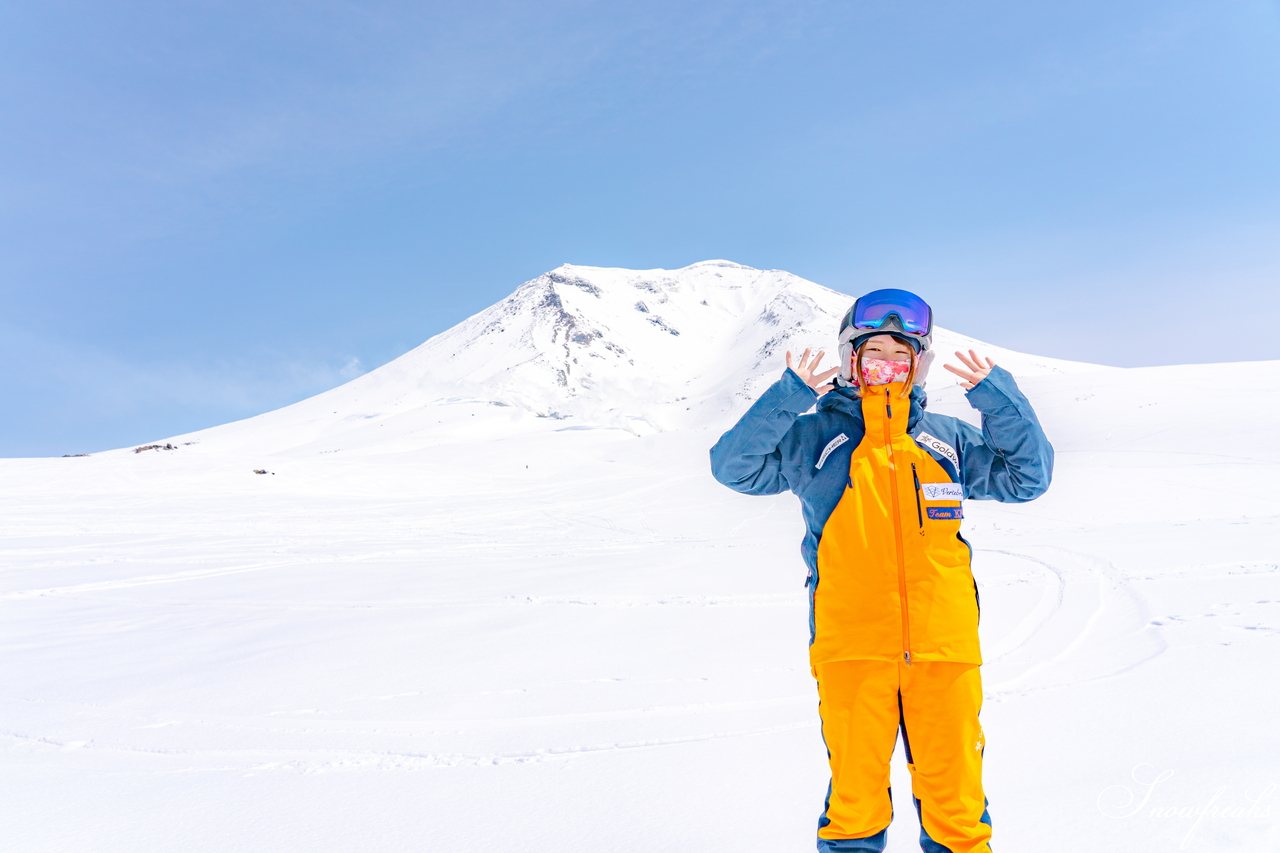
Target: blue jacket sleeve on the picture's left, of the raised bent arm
{"type": "Point", "coordinates": [747, 458]}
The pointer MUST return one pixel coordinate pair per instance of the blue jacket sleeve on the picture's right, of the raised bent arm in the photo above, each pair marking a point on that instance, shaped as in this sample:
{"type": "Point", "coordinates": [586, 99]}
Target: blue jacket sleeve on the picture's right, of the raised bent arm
{"type": "Point", "coordinates": [1011, 460]}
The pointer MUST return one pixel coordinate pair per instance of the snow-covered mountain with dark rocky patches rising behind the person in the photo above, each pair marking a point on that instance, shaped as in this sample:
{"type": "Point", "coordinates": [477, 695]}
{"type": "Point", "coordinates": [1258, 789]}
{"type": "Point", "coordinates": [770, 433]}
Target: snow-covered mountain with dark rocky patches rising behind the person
{"type": "Point", "coordinates": [641, 350]}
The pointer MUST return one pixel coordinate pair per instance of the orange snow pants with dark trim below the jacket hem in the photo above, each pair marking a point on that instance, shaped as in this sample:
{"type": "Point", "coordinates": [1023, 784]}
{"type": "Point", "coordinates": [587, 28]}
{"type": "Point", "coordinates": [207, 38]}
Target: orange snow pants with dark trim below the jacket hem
{"type": "Point", "coordinates": [936, 705]}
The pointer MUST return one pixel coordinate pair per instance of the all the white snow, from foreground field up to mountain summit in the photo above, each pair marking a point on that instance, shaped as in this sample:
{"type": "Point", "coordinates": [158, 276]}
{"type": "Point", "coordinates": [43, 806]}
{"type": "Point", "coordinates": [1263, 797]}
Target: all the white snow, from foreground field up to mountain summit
{"type": "Point", "coordinates": [490, 597]}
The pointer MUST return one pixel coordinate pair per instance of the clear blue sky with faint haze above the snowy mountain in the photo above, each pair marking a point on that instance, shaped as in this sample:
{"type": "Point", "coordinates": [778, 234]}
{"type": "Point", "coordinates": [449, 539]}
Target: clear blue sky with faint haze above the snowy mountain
{"type": "Point", "coordinates": [209, 211]}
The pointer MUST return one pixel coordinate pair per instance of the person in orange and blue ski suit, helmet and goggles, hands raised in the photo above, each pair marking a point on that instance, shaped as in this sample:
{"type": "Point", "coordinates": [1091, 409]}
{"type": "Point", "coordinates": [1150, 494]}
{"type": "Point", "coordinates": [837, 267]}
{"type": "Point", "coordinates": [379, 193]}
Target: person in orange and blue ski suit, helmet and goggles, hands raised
{"type": "Point", "coordinates": [893, 604]}
